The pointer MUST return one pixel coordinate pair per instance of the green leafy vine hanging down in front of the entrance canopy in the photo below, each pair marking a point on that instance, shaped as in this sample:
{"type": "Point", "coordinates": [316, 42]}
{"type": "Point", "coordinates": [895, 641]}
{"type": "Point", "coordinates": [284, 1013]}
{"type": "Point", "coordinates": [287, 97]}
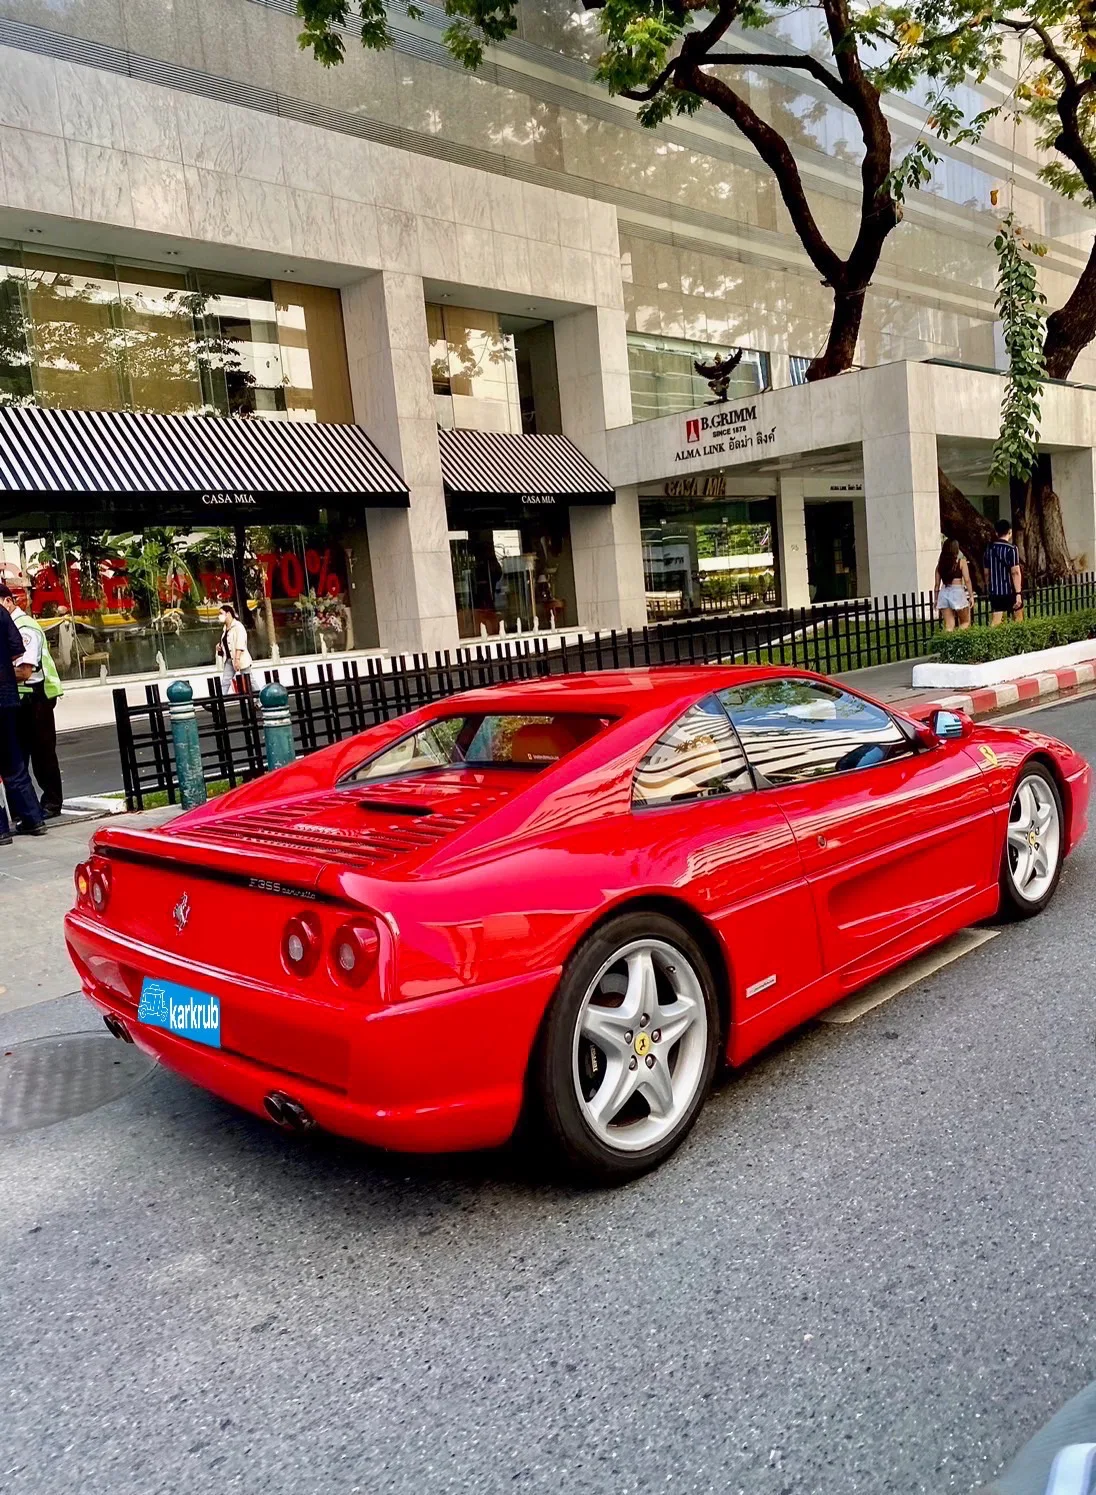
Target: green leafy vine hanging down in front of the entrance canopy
{"type": "Point", "coordinates": [1023, 315]}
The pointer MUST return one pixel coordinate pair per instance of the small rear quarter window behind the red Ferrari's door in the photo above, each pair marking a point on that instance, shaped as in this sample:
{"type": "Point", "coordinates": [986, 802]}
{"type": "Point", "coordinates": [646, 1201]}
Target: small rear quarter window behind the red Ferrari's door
{"type": "Point", "coordinates": [698, 759]}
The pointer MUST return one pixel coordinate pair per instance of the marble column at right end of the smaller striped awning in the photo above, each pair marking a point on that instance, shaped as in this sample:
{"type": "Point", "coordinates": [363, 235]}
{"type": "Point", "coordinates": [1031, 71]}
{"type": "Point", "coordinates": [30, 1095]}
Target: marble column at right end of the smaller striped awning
{"type": "Point", "coordinates": [594, 397]}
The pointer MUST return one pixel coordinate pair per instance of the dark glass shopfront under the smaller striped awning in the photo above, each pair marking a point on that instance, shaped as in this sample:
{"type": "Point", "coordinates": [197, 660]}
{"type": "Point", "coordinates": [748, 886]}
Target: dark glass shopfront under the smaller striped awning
{"type": "Point", "coordinates": [512, 575]}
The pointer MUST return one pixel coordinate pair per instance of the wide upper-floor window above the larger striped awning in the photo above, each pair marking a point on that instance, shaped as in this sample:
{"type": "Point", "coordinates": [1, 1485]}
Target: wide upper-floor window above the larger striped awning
{"type": "Point", "coordinates": [117, 336]}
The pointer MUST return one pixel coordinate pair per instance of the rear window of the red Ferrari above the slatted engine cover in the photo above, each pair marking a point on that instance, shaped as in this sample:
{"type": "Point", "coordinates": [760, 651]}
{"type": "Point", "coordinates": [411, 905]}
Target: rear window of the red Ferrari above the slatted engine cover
{"type": "Point", "coordinates": [506, 741]}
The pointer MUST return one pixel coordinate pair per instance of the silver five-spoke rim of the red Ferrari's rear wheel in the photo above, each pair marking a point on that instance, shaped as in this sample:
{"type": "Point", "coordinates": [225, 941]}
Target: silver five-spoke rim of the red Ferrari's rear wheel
{"type": "Point", "coordinates": [641, 1044]}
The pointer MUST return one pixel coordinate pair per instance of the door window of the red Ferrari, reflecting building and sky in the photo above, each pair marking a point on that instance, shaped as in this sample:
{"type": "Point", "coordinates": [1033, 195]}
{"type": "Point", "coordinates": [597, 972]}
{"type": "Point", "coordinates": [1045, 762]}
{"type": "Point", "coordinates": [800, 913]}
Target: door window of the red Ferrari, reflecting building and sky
{"type": "Point", "coordinates": [798, 730]}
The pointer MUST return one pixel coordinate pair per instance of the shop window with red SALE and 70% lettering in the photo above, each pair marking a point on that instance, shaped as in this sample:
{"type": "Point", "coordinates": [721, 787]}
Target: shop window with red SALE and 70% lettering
{"type": "Point", "coordinates": [137, 602]}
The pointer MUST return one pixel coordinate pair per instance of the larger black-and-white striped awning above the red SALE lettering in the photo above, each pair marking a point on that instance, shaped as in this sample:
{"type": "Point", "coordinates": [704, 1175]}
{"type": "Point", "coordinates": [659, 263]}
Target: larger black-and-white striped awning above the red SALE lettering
{"type": "Point", "coordinates": [213, 464]}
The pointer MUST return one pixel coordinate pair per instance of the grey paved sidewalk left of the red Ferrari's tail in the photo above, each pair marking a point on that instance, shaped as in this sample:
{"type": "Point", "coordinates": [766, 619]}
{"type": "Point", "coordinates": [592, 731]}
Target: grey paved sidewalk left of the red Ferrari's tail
{"type": "Point", "coordinates": [37, 893]}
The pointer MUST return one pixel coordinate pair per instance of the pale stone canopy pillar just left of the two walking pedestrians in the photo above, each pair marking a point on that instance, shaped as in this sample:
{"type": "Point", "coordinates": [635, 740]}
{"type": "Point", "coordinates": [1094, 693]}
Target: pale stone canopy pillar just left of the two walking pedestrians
{"type": "Point", "coordinates": [902, 496]}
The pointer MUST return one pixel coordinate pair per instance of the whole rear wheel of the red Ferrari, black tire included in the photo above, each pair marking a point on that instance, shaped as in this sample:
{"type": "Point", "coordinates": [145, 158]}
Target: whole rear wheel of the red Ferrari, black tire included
{"type": "Point", "coordinates": [629, 1050]}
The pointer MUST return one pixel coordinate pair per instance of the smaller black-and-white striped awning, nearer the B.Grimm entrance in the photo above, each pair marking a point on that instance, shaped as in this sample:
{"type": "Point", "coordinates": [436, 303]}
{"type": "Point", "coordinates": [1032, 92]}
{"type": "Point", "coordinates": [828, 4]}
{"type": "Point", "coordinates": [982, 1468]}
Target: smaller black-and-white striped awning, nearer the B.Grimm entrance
{"type": "Point", "coordinates": [497, 467]}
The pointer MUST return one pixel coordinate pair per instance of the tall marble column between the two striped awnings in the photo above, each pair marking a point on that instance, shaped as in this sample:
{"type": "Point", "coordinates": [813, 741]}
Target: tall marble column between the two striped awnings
{"type": "Point", "coordinates": [390, 355]}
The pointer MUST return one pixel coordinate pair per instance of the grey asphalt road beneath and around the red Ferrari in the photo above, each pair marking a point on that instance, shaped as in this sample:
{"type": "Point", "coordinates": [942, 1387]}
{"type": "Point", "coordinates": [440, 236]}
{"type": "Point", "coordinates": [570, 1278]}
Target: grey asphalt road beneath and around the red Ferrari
{"type": "Point", "coordinates": [869, 1271]}
